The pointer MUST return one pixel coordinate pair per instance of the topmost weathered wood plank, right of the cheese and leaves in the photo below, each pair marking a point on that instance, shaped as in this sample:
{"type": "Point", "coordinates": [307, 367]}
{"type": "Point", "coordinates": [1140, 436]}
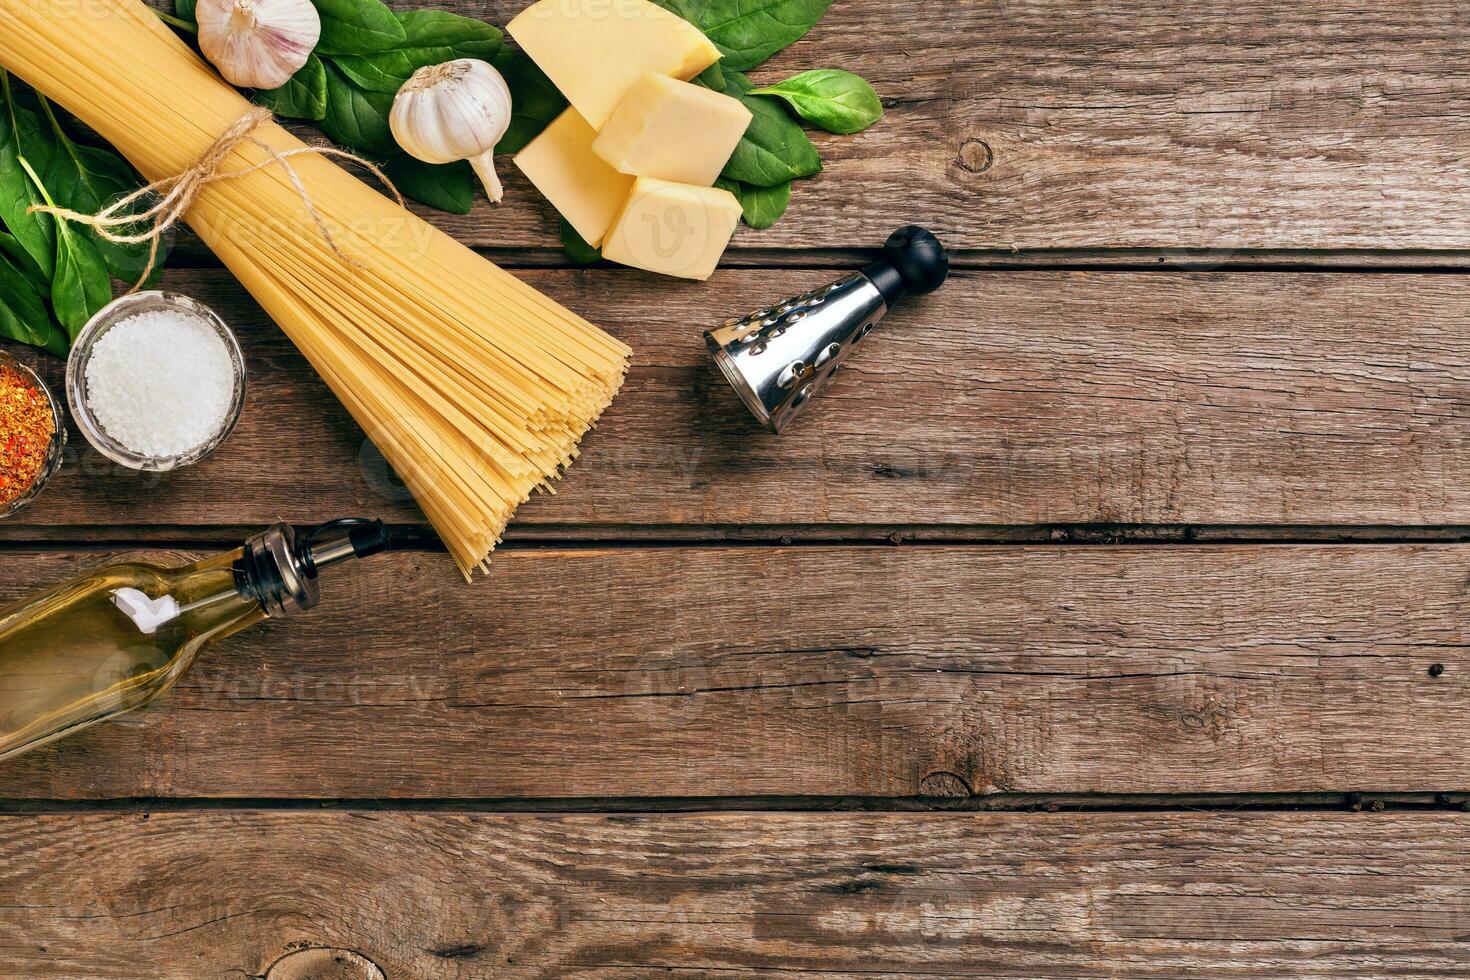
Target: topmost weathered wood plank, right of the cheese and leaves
{"type": "Point", "coordinates": [1043, 124]}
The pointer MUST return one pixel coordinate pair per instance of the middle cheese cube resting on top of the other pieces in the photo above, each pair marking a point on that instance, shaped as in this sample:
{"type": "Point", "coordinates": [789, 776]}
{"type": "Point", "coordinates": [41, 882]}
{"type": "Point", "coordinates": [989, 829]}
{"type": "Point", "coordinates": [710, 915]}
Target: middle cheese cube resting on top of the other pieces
{"type": "Point", "coordinates": [674, 131]}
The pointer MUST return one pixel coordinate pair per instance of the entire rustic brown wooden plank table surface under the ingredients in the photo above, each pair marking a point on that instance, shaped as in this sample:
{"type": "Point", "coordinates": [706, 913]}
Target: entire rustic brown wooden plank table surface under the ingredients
{"type": "Point", "coordinates": [1106, 618]}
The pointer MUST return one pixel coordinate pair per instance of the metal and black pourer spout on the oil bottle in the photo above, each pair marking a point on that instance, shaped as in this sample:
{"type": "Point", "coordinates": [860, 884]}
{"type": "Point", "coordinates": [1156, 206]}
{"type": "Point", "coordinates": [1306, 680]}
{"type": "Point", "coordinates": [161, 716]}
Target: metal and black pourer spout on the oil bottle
{"type": "Point", "coordinates": [280, 565]}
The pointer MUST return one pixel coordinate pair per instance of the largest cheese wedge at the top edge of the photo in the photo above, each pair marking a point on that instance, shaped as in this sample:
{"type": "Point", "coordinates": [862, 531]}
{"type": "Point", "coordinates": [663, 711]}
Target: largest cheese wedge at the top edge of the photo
{"type": "Point", "coordinates": [595, 51]}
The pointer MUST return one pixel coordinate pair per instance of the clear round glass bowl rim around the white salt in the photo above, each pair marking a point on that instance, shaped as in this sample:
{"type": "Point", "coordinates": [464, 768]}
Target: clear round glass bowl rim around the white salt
{"type": "Point", "coordinates": [108, 318]}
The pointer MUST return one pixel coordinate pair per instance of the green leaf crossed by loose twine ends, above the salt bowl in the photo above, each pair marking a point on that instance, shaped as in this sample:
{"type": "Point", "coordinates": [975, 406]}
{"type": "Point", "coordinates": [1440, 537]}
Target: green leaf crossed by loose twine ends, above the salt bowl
{"type": "Point", "coordinates": [89, 180]}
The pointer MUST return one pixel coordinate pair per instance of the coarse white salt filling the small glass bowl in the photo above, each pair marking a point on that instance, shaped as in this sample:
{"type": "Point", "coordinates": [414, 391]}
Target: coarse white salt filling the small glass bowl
{"type": "Point", "coordinates": [161, 383]}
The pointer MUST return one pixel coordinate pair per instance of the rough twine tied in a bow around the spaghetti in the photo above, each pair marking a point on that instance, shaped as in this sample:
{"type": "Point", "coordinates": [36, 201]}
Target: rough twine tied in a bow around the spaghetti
{"type": "Point", "coordinates": [177, 195]}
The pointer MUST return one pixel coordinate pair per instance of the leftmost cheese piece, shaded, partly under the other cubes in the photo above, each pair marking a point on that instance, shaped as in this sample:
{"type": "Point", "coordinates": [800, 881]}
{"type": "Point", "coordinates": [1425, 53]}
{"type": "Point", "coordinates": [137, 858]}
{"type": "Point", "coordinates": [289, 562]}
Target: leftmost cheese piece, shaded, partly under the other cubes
{"type": "Point", "coordinates": [577, 181]}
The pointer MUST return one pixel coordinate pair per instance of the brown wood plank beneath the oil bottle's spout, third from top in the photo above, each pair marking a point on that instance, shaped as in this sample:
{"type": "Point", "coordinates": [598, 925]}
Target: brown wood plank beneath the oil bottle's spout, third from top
{"type": "Point", "coordinates": [824, 672]}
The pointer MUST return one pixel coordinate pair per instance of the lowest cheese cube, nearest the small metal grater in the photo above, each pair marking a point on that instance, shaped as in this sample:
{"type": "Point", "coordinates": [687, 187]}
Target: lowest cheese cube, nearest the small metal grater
{"type": "Point", "coordinates": [678, 230]}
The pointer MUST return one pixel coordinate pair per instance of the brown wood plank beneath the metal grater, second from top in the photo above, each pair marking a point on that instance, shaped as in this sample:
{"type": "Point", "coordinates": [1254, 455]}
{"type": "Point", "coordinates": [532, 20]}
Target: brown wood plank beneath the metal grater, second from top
{"type": "Point", "coordinates": [1018, 399]}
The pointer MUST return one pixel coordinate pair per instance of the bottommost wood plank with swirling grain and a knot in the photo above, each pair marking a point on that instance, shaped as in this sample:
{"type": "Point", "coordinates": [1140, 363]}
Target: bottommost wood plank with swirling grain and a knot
{"type": "Point", "coordinates": [436, 897]}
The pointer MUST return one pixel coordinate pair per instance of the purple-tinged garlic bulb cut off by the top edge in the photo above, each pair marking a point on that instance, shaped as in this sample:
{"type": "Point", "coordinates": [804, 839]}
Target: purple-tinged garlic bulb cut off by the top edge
{"type": "Point", "coordinates": [258, 43]}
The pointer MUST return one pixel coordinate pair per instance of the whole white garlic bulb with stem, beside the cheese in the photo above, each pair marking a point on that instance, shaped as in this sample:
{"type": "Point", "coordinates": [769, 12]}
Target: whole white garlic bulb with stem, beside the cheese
{"type": "Point", "coordinates": [458, 111]}
